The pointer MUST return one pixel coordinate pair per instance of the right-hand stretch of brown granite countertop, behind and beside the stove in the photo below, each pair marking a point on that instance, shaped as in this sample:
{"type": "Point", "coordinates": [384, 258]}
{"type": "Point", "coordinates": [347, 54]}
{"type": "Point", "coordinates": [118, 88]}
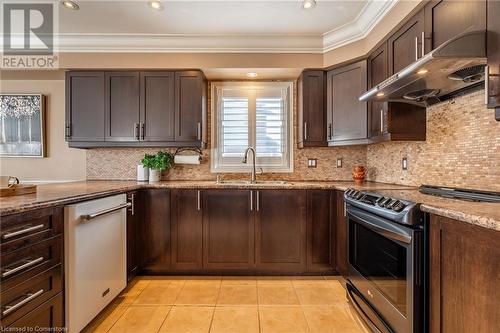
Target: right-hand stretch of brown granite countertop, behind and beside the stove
{"type": "Point", "coordinates": [484, 214]}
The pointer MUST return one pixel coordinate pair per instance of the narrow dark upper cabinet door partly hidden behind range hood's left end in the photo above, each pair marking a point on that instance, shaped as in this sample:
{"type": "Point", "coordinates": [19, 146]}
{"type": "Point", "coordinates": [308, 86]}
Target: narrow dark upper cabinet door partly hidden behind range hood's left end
{"type": "Point", "coordinates": [377, 72]}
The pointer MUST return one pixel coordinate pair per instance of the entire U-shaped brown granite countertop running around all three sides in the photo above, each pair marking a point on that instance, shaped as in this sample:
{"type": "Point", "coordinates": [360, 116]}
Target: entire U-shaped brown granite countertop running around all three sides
{"type": "Point", "coordinates": [479, 213]}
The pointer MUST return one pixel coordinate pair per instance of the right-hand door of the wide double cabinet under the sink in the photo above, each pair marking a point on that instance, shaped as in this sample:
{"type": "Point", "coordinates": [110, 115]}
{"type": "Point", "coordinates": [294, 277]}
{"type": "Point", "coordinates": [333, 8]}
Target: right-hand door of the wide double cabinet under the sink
{"type": "Point", "coordinates": [280, 230]}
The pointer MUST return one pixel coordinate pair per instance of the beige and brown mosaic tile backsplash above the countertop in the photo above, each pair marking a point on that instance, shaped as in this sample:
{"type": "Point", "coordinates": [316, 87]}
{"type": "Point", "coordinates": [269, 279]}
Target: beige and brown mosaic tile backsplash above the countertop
{"type": "Point", "coordinates": [462, 150]}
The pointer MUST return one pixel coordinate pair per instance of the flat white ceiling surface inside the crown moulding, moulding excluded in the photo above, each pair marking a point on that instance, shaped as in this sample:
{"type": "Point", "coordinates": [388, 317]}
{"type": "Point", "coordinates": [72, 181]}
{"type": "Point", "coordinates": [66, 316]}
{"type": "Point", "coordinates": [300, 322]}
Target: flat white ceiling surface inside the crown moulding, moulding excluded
{"type": "Point", "coordinates": [208, 17]}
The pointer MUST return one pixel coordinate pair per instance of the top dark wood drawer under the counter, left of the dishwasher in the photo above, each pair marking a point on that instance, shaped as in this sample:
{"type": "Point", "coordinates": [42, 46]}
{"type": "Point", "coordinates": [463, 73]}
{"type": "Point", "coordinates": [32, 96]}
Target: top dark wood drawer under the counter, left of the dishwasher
{"type": "Point", "coordinates": [20, 230]}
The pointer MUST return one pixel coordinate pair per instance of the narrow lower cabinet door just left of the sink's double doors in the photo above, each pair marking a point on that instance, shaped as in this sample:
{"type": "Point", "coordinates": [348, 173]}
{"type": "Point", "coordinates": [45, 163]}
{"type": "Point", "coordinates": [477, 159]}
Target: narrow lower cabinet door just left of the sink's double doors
{"type": "Point", "coordinates": [187, 228]}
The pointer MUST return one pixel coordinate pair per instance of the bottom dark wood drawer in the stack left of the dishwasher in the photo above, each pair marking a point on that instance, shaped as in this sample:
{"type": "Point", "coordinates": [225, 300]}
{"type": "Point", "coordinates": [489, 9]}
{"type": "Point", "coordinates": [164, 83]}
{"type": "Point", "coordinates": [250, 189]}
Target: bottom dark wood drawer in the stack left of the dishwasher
{"type": "Point", "coordinates": [48, 317]}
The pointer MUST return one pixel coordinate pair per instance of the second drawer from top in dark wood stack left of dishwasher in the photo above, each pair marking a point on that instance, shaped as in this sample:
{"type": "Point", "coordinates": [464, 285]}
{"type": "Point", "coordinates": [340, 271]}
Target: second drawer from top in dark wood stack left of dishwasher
{"type": "Point", "coordinates": [24, 263]}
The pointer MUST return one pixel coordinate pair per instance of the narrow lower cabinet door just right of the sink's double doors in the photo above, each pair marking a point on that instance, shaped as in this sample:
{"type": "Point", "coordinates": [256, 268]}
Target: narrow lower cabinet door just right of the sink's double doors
{"type": "Point", "coordinates": [319, 231]}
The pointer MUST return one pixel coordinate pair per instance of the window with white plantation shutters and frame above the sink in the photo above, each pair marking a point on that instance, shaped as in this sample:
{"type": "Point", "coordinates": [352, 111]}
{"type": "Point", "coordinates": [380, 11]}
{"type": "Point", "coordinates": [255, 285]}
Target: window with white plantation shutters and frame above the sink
{"type": "Point", "coordinates": [256, 114]}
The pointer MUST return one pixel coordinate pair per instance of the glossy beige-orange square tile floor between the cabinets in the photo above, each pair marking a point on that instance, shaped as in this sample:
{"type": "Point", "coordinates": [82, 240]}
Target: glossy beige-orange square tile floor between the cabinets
{"type": "Point", "coordinates": [229, 304]}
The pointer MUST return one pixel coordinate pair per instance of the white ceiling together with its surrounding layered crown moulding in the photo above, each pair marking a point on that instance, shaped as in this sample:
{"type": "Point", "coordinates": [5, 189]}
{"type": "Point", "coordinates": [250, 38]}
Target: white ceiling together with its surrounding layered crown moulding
{"type": "Point", "coordinates": [217, 26]}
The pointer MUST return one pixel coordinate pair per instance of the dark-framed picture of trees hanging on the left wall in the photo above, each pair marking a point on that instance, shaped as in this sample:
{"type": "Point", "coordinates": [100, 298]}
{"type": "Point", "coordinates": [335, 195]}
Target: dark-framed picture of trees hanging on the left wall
{"type": "Point", "coordinates": [22, 125]}
